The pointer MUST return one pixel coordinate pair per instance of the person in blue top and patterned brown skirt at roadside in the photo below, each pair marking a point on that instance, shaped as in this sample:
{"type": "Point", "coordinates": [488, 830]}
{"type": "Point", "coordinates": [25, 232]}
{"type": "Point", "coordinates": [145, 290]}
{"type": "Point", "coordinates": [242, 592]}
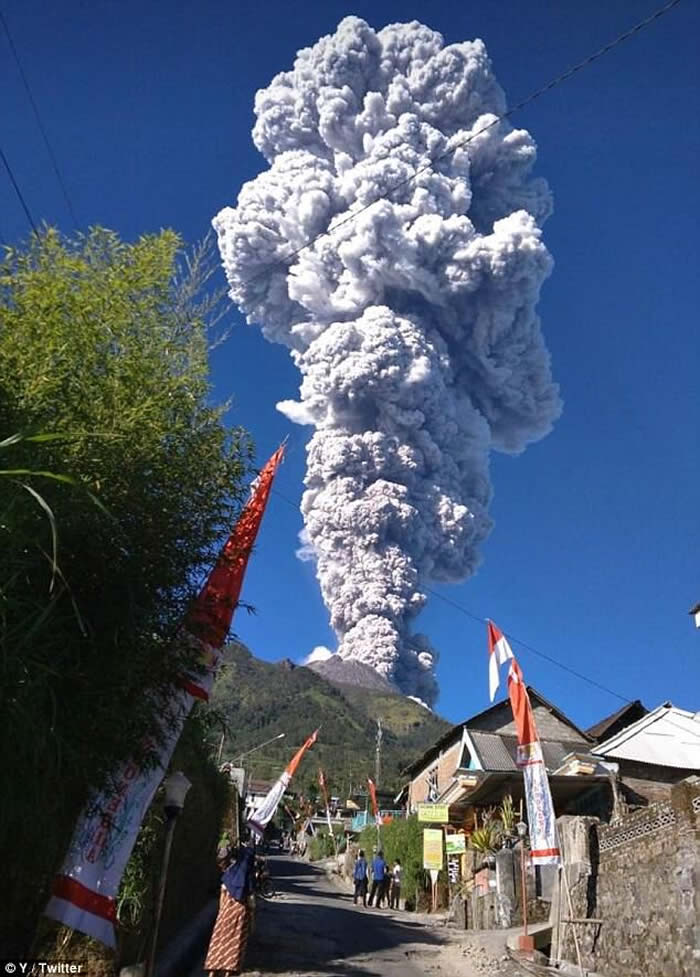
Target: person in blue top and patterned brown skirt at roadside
{"type": "Point", "coordinates": [230, 936]}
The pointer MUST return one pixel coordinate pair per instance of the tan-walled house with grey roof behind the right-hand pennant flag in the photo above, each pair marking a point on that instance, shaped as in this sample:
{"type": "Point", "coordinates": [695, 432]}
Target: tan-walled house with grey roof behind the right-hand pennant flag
{"type": "Point", "coordinates": [474, 764]}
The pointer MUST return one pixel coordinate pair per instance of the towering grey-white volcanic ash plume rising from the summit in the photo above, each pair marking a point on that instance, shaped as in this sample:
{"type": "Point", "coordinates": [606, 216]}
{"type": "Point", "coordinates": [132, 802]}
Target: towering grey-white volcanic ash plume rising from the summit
{"type": "Point", "coordinates": [413, 323]}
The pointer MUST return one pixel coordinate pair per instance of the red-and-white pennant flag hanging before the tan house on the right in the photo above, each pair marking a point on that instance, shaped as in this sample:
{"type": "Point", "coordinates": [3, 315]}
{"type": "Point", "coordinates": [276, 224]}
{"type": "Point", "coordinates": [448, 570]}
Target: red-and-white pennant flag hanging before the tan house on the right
{"type": "Point", "coordinates": [544, 849]}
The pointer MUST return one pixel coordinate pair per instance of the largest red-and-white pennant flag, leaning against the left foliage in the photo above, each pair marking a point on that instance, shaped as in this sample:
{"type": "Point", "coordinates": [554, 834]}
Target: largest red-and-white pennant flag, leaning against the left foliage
{"type": "Point", "coordinates": [85, 890]}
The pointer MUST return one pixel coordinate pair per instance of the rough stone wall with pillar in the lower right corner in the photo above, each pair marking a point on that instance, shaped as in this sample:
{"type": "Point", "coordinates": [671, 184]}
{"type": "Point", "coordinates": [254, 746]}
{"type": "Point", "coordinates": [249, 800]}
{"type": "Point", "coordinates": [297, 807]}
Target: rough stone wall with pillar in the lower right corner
{"type": "Point", "coordinates": [639, 875]}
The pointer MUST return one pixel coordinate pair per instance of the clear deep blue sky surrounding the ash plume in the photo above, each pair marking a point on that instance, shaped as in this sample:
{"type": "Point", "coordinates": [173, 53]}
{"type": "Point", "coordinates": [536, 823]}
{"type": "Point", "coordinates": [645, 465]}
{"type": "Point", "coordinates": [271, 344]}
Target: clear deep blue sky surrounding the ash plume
{"type": "Point", "coordinates": [594, 555]}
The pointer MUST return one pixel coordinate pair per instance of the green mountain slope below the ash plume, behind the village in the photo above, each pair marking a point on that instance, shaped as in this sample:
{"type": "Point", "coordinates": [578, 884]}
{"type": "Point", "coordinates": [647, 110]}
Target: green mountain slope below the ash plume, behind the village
{"type": "Point", "coordinates": [260, 700]}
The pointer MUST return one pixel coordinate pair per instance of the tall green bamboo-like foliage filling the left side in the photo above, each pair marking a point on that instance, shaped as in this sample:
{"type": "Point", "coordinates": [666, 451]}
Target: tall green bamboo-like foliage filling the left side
{"type": "Point", "coordinates": [107, 518]}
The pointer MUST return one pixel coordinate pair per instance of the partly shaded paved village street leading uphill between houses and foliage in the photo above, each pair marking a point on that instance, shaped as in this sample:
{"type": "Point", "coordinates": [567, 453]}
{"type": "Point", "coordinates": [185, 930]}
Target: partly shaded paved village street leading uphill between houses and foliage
{"type": "Point", "coordinates": [312, 928]}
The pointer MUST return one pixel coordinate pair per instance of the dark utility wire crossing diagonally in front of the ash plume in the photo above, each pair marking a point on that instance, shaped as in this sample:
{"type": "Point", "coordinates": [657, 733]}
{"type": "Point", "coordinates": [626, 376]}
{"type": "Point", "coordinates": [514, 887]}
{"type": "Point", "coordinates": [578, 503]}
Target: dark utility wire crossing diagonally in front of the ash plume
{"type": "Point", "coordinates": [459, 144]}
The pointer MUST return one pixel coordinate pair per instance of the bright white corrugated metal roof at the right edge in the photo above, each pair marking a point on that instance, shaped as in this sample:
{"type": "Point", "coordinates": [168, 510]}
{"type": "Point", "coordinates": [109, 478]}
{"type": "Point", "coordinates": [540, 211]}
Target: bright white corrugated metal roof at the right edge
{"type": "Point", "coordinates": [666, 736]}
